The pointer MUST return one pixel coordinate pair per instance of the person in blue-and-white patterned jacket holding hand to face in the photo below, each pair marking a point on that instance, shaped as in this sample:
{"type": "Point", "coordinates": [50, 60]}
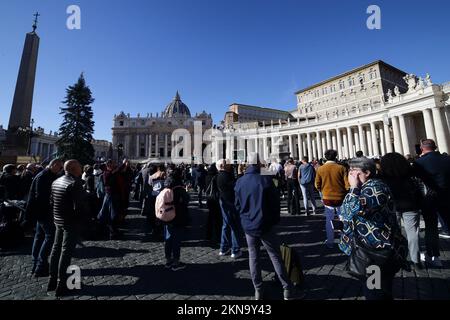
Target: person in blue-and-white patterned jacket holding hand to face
{"type": "Point", "coordinates": [370, 223]}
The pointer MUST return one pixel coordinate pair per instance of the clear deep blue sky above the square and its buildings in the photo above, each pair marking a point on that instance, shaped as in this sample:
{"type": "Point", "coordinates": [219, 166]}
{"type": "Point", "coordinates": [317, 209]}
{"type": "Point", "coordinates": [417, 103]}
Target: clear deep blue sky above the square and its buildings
{"type": "Point", "coordinates": [135, 54]}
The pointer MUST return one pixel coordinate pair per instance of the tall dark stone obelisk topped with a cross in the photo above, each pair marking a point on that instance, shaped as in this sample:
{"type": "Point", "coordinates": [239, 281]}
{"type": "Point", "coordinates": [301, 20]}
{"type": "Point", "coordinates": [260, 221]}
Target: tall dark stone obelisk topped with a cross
{"type": "Point", "coordinates": [19, 131]}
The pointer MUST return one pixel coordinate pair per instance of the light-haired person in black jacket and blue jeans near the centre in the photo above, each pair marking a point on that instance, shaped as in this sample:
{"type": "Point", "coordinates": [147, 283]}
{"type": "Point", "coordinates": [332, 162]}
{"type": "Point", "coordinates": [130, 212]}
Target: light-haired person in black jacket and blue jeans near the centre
{"type": "Point", "coordinates": [231, 224]}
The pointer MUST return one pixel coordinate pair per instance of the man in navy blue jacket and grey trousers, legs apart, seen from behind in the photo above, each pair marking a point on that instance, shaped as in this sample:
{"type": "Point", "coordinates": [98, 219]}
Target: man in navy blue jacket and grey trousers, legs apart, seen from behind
{"type": "Point", "coordinates": [258, 204]}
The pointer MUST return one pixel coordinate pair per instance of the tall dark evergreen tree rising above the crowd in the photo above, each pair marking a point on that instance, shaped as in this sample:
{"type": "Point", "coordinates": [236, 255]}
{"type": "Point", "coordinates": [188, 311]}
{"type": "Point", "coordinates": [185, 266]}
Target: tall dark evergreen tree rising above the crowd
{"type": "Point", "coordinates": [78, 127]}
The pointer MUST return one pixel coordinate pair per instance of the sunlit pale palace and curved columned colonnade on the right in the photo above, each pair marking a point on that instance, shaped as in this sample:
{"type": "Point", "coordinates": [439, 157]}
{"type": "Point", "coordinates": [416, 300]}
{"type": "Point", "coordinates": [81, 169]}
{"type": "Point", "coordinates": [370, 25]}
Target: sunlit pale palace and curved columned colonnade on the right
{"type": "Point", "coordinates": [376, 108]}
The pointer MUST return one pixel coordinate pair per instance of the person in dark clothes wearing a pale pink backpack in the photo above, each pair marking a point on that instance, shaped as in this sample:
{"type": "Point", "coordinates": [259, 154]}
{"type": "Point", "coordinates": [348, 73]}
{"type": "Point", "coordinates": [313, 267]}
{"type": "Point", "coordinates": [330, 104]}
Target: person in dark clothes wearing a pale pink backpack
{"type": "Point", "coordinates": [172, 209]}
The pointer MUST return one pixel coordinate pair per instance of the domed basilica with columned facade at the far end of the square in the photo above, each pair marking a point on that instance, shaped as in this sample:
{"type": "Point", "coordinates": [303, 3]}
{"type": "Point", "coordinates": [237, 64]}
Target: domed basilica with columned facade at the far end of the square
{"type": "Point", "coordinates": [151, 137]}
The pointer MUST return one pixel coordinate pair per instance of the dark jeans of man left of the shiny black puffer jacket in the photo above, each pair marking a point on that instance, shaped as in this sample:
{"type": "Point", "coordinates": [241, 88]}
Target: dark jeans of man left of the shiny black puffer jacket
{"type": "Point", "coordinates": [43, 242]}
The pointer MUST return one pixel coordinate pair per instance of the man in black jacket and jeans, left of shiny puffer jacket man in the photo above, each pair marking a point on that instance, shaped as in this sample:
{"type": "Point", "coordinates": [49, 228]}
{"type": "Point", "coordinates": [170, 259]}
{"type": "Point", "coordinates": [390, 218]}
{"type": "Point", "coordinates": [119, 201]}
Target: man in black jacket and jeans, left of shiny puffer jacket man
{"type": "Point", "coordinates": [39, 209]}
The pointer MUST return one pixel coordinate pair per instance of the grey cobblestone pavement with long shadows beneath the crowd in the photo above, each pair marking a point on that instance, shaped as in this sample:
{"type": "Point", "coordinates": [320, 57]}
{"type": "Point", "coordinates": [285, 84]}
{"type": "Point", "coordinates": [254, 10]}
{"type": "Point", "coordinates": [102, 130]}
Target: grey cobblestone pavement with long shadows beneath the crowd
{"type": "Point", "coordinates": [132, 268]}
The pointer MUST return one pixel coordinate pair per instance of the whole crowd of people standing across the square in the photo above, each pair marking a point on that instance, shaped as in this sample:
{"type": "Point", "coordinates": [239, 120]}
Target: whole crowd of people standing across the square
{"type": "Point", "coordinates": [365, 201]}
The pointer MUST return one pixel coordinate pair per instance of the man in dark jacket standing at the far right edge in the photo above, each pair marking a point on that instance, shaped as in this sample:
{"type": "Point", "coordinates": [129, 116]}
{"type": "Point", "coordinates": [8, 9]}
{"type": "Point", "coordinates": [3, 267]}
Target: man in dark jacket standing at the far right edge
{"type": "Point", "coordinates": [433, 169]}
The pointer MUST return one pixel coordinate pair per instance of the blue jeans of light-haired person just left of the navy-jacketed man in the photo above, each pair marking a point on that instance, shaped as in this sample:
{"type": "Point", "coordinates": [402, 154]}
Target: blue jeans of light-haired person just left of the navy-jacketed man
{"type": "Point", "coordinates": [230, 228]}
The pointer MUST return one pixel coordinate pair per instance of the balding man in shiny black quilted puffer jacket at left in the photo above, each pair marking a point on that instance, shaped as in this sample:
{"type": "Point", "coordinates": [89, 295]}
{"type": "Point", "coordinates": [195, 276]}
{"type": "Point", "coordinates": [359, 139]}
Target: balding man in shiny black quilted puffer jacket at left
{"type": "Point", "coordinates": [69, 204]}
